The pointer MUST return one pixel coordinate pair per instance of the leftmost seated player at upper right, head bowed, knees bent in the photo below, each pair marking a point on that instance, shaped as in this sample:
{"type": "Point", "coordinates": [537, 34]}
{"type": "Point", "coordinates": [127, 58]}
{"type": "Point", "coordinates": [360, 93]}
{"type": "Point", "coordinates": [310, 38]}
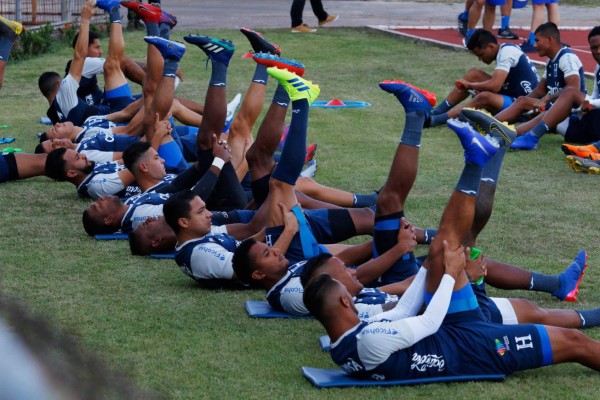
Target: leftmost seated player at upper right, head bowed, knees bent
{"type": "Point", "coordinates": [514, 76]}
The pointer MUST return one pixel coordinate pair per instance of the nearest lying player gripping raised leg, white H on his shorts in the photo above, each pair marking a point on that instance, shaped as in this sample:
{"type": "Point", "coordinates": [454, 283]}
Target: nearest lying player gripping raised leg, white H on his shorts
{"type": "Point", "coordinates": [398, 344]}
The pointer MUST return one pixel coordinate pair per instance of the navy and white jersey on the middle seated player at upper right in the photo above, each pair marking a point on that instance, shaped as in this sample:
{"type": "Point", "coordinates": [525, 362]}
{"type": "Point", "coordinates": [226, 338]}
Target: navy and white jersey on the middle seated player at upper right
{"type": "Point", "coordinates": [563, 65]}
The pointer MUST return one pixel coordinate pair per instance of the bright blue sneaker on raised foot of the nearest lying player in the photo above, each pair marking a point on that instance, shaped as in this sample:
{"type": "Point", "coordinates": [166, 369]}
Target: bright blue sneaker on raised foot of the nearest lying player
{"type": "Point", "coordinates": [478, 149]}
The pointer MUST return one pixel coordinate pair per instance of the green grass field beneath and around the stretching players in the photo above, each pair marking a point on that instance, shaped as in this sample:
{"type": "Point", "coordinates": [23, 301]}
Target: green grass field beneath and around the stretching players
{"type": "Point", "coordinates": [146, 318]}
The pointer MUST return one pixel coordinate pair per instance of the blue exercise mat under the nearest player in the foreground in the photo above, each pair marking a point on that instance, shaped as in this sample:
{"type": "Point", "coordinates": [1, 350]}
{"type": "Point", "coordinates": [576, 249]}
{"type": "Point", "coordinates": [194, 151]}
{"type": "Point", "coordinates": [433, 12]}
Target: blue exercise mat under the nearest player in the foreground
{"type": "Point", "coordinates": [328, 378]}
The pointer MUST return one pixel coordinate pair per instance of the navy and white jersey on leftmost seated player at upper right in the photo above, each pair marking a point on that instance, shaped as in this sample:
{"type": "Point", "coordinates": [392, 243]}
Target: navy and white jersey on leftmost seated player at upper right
{"type": "Point", "coordinates": [522, 76]}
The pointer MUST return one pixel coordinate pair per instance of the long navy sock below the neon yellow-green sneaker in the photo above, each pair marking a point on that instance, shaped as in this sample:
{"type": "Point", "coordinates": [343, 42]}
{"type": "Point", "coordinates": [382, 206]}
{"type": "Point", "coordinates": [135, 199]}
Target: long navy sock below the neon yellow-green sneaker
{"type": "Point", "coordinates": [294, 151]}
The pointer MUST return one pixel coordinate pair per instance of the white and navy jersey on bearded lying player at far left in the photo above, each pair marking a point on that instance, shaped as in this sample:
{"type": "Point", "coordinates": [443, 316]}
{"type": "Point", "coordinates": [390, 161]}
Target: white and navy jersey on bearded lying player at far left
{"type": "Point", "coordinates": [104, 180]}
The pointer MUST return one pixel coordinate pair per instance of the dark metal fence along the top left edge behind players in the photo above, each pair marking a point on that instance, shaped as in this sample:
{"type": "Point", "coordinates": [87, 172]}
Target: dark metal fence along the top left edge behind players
{"type": "Point", "coordinates": [40, 12]}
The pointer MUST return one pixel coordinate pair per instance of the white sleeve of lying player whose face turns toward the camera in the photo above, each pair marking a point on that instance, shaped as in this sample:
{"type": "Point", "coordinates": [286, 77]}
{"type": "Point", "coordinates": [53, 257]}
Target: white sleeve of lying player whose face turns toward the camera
{"type": "Point", "coordinates": [211, 261]}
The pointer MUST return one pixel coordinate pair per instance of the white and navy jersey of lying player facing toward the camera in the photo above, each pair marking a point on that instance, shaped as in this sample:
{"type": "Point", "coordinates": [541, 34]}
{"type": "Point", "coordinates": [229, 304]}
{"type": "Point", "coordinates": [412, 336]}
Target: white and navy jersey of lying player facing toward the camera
{"type": "Point", "coordinates": [209, 257]}
